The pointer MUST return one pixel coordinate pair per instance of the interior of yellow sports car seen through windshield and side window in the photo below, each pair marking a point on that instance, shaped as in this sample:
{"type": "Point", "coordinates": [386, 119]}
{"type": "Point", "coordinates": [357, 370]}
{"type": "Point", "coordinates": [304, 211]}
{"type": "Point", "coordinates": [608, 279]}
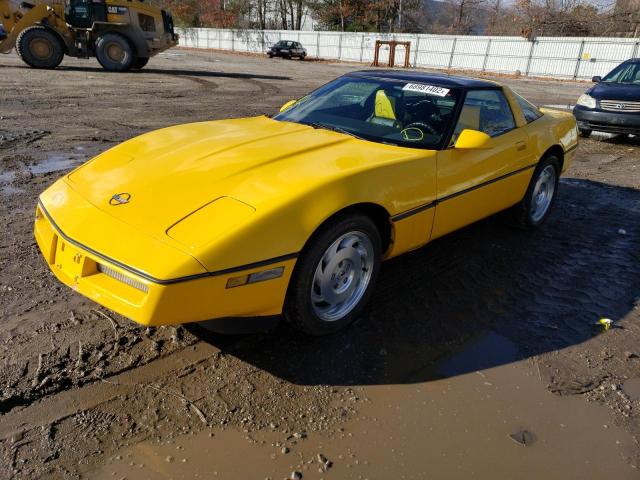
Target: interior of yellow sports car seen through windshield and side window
{"type": "Point", "coordinates": [391, 113]}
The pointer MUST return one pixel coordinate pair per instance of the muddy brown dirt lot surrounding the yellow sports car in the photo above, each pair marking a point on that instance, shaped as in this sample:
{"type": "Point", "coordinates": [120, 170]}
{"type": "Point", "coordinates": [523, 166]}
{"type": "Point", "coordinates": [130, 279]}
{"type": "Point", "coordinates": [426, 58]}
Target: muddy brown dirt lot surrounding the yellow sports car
{"type": "Point", "coordinates": [479, 357]}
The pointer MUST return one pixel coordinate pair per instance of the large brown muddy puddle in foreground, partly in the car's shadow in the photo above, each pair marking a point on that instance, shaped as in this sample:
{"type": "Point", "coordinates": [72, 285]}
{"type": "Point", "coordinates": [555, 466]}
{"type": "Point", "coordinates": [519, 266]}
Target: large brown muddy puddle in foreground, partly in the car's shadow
{"type": "Point", "coordinates": [496, 422]}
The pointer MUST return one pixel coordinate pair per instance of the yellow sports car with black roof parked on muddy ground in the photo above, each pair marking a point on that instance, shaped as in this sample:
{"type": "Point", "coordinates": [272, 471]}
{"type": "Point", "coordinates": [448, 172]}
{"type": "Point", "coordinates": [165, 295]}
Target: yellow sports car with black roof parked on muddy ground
{"type": "Point", "coordinates": [256, 217]}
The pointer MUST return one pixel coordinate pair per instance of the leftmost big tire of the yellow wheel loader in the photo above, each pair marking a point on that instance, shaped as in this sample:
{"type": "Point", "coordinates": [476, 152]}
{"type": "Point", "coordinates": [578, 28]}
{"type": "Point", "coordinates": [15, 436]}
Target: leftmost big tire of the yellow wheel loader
{"type": "Point", "coordinates": [39, 47]}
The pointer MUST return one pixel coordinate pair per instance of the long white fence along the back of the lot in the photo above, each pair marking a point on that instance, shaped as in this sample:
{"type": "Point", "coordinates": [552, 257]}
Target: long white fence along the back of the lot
{"type": "Point", "coordinates": [558, 57]}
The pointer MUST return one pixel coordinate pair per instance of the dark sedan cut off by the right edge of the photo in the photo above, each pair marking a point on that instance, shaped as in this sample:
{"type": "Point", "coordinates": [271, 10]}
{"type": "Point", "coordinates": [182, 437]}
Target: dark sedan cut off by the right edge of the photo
{"type": "Point", "coordinates": [613, 104]}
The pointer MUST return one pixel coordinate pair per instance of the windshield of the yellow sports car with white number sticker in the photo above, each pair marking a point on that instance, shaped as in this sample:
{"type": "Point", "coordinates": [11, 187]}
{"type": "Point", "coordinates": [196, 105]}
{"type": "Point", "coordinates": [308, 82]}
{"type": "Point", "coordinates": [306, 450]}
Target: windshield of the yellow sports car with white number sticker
{"type": "Point", "coordinates": [407, 114]}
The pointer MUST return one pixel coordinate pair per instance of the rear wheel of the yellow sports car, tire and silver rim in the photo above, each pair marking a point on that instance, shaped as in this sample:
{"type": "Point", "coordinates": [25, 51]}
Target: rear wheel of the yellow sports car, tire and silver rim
{"type": "Point", "coordinates": [537, 203]}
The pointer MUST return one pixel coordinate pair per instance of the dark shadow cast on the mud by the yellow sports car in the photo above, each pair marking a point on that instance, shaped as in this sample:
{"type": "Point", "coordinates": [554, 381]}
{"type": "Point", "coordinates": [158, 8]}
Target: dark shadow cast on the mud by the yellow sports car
{"type": "Point", "coordinates": [490, 294]}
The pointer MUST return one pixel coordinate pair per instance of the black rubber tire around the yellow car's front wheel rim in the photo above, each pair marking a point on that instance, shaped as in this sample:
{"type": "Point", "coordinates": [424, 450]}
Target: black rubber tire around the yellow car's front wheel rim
{"type": "Point", "coordinates": [299, 309]}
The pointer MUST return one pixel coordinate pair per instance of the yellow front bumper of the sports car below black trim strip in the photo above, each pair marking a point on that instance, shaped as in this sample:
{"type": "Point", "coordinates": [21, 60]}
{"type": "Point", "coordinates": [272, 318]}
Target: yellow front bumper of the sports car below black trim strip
{"type": "Point", "coordinates": [152, 303]}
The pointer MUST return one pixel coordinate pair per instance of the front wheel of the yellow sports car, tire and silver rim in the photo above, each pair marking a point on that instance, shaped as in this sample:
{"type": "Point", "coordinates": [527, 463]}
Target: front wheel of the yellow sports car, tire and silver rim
{"type": "Point", "coordinates": [335, 276]}
